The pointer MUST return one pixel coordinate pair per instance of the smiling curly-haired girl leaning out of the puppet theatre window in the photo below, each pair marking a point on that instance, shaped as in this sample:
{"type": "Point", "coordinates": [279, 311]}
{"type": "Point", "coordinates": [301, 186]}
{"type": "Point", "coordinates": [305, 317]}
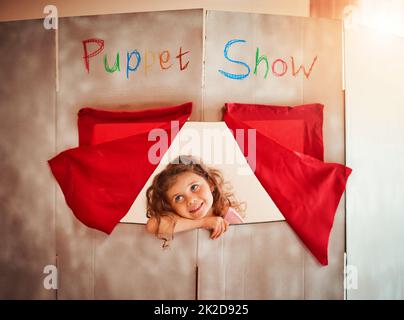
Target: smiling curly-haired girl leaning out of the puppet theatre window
{"type": "Point", "coordinates": [188, 195]}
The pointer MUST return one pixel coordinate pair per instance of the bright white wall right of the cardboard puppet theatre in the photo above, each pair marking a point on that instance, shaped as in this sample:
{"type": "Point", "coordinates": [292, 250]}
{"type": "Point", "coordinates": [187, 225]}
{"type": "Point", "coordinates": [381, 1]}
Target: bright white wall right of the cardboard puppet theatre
{"type": "Point", "coordinates": [375, 150]}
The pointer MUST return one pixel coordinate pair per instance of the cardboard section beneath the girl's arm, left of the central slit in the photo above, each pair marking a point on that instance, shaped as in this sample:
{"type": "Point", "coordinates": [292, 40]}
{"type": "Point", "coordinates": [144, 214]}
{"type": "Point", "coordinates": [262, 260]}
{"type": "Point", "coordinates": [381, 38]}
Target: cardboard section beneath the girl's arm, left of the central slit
{"type": "Point", "coordinates": [131, 264]}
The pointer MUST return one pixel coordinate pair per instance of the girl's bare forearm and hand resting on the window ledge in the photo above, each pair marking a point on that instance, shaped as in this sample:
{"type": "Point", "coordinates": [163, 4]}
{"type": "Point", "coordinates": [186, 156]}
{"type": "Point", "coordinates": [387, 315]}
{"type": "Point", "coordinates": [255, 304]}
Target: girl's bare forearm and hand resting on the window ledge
{"type": "Point", "coordinates": [217, 225]}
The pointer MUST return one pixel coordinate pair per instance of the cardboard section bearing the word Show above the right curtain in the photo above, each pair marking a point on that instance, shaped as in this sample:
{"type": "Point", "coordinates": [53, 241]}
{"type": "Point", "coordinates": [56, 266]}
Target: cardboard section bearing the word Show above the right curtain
{"type": "Point", "coordinates": [276, 37]}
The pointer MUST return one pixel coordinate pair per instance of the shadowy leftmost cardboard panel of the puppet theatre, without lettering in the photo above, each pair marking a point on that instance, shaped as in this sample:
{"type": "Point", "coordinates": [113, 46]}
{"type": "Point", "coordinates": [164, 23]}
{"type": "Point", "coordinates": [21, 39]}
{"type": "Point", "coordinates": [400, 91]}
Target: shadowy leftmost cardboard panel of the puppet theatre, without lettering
{"type": "Point", "coordinates": [27, 140]}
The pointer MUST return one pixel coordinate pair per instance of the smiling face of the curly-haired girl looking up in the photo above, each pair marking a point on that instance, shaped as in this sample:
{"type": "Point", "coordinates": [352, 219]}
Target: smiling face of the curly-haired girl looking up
{"type": "Point", "coordinates": [190, 196]}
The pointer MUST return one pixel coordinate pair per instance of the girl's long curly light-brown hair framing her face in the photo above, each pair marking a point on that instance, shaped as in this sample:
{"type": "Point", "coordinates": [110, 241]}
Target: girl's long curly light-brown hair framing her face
{"type": "Point", "coordinates": [158, 204]}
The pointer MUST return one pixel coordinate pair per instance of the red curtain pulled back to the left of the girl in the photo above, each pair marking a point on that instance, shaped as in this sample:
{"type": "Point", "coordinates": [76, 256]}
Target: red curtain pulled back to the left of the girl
{"type": "Point", "coordinates": [101, 181]}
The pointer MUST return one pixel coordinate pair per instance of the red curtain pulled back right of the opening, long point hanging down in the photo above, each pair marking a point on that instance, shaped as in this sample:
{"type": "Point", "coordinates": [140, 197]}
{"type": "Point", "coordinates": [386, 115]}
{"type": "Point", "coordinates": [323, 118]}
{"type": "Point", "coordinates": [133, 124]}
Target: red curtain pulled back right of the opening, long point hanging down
{"type": "Point", "coordinates": [306, 190]}
